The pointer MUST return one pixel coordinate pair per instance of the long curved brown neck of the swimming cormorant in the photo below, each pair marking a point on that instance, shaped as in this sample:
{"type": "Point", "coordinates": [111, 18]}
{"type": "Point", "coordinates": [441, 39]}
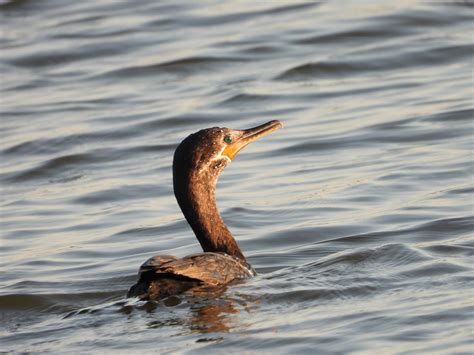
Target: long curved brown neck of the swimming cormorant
{"type": "Point", "coordinates": [196, 197]}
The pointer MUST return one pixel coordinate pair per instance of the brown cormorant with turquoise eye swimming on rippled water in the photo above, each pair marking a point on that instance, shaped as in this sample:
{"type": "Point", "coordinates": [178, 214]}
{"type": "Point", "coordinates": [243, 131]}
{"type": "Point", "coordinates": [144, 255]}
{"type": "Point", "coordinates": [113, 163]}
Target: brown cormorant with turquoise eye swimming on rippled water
{"type": "Point", "coordinates": [197, 163]}
